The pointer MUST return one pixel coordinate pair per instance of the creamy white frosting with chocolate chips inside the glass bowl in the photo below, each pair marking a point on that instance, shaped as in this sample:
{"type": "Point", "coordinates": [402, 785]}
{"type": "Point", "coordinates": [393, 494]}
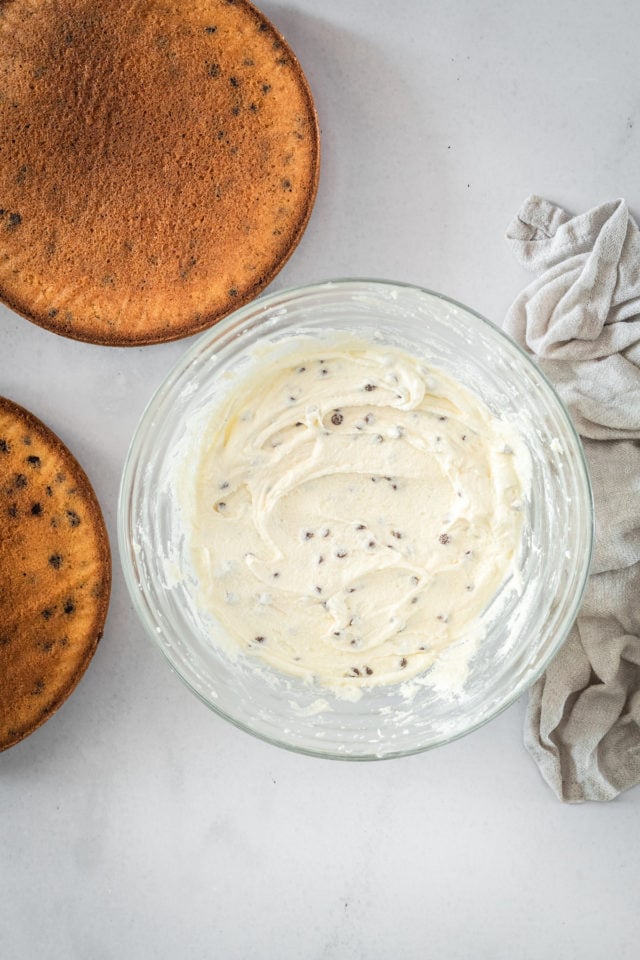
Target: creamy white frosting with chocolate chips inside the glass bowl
{"type": "Point", "coordinates": [352, 512]}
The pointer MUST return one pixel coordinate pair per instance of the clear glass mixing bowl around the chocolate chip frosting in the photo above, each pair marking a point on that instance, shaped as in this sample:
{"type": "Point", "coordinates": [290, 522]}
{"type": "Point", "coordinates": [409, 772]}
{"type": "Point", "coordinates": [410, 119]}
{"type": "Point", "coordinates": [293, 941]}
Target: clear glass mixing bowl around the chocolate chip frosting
{"type": "Point", "coordinates": [522, 633]}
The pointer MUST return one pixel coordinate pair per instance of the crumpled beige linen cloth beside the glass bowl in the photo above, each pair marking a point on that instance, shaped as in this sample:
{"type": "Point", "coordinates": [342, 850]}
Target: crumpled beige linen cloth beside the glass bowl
{"type": "Point", "coordinates": [581, 320]}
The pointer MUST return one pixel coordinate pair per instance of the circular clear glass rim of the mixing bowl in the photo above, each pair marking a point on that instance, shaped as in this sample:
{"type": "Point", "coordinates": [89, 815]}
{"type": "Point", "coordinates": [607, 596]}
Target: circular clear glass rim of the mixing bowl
{"type": "Point", "coordinates": [237, 319]}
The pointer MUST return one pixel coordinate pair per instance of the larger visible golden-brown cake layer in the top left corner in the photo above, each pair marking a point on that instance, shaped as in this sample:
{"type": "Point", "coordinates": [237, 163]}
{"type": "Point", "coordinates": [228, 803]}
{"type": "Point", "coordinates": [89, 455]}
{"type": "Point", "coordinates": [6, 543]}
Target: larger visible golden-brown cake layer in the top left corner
{"type": "Point", "coordinates": [158, 163]}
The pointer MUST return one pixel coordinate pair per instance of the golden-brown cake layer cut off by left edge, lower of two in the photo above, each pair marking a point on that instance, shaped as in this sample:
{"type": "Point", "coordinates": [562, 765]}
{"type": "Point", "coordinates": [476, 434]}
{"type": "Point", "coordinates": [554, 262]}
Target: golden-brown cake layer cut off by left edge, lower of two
{"type": "Point", "coordinates": [55, 573]}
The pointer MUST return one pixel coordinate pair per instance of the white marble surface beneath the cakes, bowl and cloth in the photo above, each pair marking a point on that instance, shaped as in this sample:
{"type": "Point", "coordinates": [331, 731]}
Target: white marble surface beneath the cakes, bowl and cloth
{"type": "Point", "coordinates": [136, 824]}
